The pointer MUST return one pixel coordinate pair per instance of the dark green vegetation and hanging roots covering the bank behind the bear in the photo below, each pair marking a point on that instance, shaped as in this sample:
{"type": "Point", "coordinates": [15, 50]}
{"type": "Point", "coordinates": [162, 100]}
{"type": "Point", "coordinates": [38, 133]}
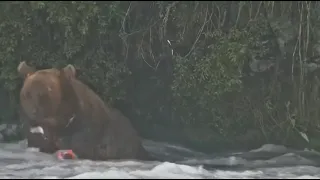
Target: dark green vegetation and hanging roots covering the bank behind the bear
{"type": "Point", "coordinates": [237, 78]}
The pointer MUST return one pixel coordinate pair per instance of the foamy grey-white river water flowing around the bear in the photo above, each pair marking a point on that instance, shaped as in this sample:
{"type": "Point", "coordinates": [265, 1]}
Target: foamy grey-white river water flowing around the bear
{"type": "Point", "coordinates": [269, 161]}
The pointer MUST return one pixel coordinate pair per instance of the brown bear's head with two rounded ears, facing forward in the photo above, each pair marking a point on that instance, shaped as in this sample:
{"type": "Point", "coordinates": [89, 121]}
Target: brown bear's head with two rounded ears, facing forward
{"type": "Point", "coordinates": [47, 98]}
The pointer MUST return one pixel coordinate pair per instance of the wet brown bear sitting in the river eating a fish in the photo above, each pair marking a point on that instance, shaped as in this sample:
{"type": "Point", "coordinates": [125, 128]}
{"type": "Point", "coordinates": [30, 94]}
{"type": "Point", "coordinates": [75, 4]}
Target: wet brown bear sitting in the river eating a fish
{"type": "Point", "coordinates": [72, 116]}
